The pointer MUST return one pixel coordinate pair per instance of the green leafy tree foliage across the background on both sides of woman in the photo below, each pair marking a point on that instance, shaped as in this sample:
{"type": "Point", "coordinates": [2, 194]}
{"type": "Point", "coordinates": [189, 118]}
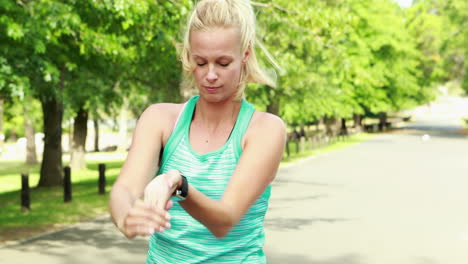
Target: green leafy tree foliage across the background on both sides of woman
{"type": "Point", "coordinates": [337, 58]}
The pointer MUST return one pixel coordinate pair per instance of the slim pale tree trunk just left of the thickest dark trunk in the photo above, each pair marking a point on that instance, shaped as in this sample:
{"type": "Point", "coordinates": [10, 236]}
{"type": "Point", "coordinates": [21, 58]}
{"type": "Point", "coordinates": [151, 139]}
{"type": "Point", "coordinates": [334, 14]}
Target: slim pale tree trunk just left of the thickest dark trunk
{"type": "Point", "coordinates": [31, 156]}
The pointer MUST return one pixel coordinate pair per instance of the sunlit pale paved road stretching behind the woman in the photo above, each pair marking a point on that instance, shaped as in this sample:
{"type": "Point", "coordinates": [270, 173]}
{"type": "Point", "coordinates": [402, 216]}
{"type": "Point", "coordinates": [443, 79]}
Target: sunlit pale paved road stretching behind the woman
{"type": "Point", "coordinates": [398, 198]}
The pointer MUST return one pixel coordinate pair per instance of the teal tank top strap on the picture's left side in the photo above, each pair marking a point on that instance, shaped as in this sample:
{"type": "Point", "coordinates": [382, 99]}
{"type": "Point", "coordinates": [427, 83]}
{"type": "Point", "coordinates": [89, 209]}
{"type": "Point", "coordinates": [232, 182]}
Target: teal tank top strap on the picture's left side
{"type": "Point", "coordinates": [184, 120]}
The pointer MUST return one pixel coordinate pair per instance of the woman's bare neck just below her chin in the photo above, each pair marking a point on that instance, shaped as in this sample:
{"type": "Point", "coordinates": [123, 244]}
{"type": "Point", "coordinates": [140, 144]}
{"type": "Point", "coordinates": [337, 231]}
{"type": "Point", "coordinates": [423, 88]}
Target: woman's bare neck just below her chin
{"type": "Point", "coordinates": [212, 115]}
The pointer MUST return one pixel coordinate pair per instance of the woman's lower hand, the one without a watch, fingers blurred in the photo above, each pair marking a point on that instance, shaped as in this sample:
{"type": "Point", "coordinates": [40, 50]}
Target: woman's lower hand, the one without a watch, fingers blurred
{"type": "Point", "coordinates": [143, 219]}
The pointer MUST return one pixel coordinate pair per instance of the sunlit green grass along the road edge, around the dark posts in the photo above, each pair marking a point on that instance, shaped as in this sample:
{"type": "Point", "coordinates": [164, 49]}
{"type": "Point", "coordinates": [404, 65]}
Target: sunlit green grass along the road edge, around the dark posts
{"type": "Point", "coordinates": [49, 212]}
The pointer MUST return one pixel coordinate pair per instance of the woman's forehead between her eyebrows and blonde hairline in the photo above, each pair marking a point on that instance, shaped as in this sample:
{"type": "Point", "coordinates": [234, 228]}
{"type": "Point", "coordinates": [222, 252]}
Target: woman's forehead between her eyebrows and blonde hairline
{"type": "Point", "coordinates": [215, 42]}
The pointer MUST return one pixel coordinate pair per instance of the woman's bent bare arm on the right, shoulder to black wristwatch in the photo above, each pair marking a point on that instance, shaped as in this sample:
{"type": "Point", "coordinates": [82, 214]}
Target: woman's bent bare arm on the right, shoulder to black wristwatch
{"type": "Point", "coordinates": [257, 167]}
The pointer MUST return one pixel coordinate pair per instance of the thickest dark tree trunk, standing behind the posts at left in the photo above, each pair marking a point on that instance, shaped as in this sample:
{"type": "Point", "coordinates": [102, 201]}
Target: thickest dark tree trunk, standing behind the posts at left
{"type": "Point", "coordinates": [51, 167]}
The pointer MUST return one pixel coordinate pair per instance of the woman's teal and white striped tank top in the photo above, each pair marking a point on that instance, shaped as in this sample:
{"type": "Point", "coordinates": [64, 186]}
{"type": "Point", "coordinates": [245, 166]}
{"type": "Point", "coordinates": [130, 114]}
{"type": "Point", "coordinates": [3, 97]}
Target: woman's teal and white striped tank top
{"type": "Point", "coordinates": [188, 241]}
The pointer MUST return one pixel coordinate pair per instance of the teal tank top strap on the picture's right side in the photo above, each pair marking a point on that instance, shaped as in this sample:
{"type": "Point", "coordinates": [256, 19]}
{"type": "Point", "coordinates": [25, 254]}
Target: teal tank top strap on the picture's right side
{"type": "Point", "coordinates": [243, 121]}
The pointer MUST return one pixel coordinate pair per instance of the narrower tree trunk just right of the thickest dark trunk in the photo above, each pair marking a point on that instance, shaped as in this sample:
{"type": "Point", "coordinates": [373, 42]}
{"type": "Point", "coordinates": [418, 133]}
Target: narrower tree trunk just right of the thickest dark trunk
{"type": "Point", "coordinates": [78, 150]}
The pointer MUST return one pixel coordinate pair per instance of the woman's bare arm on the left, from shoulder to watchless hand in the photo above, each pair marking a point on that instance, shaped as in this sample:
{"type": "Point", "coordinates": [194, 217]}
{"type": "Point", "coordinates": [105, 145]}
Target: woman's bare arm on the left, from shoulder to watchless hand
{"type": "Point", "coordinates": [129, 213]}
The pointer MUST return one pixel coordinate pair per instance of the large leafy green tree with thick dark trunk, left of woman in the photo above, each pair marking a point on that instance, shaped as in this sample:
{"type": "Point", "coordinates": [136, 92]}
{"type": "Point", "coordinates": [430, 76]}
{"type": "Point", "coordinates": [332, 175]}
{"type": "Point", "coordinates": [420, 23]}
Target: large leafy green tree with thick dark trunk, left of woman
{"type": "Point", "coordinates": [65, 50]}
